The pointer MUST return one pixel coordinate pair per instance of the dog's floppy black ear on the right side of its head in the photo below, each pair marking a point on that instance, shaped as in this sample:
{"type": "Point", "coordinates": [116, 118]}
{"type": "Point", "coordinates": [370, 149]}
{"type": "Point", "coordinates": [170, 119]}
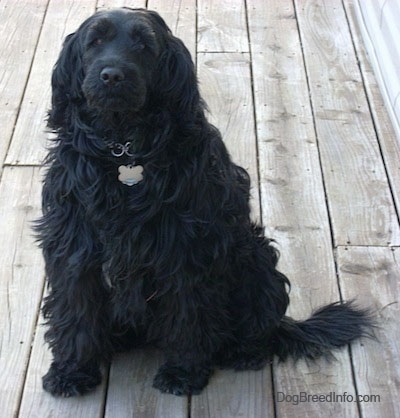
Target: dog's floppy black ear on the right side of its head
{"type": "Point", "coordinates": [177, 83]}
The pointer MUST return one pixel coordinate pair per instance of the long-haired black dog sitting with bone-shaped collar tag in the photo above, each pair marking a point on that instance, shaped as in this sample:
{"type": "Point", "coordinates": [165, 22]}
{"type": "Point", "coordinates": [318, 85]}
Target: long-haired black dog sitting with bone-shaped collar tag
{"type": "Point", "coordinates": [146, 230]}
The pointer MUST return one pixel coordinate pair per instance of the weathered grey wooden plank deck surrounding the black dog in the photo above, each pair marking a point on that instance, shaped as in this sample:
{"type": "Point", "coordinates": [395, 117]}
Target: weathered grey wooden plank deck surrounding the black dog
{"type": "Point", "coordinates": [290, 87]}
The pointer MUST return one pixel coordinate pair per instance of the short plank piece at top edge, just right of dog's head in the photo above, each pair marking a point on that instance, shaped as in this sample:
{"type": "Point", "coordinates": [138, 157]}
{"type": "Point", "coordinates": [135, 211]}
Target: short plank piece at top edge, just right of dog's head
{"type": "Point", "coordinates": [222, 26]}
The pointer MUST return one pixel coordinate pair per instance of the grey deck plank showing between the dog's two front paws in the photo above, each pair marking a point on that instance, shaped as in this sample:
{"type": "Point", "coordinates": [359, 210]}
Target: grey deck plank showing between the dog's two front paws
{"type": "Point", "coordinates": [130, 392]}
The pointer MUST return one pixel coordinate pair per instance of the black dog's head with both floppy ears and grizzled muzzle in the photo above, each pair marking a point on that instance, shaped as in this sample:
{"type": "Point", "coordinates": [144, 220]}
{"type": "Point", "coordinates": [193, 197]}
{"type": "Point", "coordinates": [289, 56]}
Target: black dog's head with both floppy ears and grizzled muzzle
{"type": "Point", "coordinates": [122, 61]}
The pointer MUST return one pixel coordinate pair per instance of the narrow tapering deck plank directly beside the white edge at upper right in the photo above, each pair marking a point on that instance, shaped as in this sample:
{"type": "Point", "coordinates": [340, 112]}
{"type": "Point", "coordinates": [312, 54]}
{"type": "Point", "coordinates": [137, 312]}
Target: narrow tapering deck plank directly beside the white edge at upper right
{"type": "Point", "coordinates": [390, 144]}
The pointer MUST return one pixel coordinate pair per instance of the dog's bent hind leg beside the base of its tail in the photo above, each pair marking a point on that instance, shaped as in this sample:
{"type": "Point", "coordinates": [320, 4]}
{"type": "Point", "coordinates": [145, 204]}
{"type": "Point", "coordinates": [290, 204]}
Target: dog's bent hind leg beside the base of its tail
{"type": "Point", "coordinates": [257, 304]}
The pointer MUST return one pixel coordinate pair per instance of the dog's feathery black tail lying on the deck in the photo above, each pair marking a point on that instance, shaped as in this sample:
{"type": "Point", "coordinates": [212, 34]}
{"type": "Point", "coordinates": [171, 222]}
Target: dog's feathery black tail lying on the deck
{"type": "Point", "coordinates": [329, 328]}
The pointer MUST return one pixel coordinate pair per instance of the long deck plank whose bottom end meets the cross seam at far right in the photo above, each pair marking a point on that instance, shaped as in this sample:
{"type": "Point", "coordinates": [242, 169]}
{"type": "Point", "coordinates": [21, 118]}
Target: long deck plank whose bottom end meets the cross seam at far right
{"type": "Point", "coordinates": [360, 202]}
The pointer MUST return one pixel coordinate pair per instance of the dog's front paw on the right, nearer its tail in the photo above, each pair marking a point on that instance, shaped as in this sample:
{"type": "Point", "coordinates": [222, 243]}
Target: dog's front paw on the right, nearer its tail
{"type": "Point", "coordinates": [179, 381]}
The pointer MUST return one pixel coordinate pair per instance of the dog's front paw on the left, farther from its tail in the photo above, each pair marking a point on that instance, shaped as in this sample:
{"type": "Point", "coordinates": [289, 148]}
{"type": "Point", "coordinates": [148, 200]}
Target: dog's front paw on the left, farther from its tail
{"type": "Point", "coordinates": [66, 382]}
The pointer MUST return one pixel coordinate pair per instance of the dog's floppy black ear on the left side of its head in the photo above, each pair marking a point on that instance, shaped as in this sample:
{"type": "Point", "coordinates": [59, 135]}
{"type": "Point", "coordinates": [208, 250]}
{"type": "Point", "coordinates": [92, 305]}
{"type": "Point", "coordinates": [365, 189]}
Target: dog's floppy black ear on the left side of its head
{"type": "Point", "coordinates": [66, 82]}
